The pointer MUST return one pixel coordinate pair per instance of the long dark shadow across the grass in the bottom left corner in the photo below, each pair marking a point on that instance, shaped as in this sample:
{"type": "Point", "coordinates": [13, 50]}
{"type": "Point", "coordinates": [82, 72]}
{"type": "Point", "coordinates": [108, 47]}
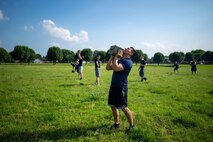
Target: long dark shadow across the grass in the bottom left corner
{"type": "Point", "coordinates": [52, 135]}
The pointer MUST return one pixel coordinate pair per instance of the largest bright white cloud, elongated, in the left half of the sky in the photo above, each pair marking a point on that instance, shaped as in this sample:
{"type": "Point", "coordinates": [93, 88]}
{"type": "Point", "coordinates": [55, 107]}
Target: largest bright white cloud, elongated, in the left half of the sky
{"type": "Point", "coordinates": [64, 34]}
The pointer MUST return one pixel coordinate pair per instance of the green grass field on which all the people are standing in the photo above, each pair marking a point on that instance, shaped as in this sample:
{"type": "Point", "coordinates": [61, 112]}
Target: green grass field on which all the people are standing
{"type": "Point", "coordinates": [46, 102]}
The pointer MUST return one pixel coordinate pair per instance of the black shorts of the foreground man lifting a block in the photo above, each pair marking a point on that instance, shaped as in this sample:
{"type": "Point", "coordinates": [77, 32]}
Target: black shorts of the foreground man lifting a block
{"type": "Point", "coordinates": [118, 97]}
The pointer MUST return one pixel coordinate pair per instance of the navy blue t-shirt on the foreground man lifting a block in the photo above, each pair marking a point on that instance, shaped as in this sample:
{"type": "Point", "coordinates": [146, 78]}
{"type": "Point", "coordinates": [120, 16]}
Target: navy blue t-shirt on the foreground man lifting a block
{"type": "Point", "coordinates": [119, 79]}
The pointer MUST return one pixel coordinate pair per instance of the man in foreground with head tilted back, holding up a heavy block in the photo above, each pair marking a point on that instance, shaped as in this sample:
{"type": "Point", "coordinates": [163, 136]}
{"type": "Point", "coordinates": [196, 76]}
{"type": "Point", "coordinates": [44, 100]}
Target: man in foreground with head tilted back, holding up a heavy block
{"type": "Point", "coordinates": [118, 91]}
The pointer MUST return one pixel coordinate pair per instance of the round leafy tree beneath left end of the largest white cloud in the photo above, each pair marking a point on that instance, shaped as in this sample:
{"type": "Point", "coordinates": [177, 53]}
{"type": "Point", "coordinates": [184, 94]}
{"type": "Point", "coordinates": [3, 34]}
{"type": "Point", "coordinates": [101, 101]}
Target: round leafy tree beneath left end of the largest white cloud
{"type": "Point", "coordinates": [54, 54]}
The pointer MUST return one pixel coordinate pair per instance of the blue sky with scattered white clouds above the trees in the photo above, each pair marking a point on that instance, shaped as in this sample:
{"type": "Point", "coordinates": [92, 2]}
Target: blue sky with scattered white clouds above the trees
{"type": "Point", "coordinates": [150, 25]}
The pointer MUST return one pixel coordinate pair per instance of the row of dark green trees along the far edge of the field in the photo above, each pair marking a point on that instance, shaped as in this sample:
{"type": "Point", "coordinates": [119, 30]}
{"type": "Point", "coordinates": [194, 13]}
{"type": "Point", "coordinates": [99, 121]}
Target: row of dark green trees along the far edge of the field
{"type": "Point", "coordinates": [25, 54]}
